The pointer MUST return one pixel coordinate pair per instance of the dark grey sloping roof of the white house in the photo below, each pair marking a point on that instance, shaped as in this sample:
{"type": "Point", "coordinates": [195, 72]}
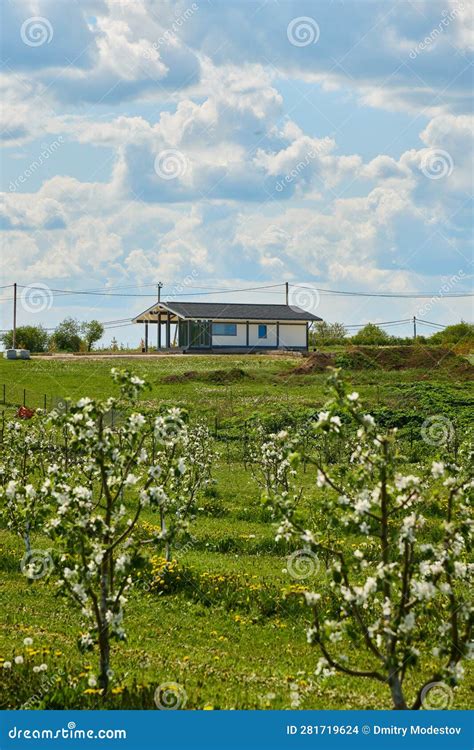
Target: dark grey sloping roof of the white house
{"type": "Point", "coordinates": [236, 311]}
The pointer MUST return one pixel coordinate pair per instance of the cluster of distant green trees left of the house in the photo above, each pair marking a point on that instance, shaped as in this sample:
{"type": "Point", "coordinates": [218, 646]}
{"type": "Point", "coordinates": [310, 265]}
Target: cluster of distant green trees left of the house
{"type": "Point", "coordinates": [70, 335]}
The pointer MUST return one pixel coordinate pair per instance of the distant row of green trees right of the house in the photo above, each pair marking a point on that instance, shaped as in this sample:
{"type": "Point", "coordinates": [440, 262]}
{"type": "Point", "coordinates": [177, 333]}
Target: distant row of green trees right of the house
{"type": "Point", "coordinates": [327, 334]}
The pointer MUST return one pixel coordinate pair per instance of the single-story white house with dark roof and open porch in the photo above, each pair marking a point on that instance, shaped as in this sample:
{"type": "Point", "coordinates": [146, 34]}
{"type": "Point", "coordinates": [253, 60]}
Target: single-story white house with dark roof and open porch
{"type": "Point", "coordinates": [209, 326]}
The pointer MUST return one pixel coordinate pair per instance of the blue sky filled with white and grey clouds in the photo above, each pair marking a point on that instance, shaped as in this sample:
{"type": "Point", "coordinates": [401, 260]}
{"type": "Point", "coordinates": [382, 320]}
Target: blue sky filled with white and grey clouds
{"type": "Point", "coordinates": [218, 145]}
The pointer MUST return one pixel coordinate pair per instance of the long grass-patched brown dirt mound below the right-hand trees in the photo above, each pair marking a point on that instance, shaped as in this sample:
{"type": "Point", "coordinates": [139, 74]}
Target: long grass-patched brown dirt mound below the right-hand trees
{"type": "Point", "coordinates": [429, 358]}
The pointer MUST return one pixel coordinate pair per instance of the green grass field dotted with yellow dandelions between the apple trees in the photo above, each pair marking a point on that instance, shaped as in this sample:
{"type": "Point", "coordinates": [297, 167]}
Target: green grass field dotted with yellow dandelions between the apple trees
{"type": "Point", "coordinates": [237, 641]}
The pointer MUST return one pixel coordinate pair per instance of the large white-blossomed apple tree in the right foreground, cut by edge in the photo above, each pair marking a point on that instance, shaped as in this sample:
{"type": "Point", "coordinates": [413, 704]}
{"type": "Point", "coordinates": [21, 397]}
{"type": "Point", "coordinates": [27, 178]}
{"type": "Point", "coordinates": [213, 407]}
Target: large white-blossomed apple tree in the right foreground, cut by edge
{"type": "Point", "coordinates": [387, 594]}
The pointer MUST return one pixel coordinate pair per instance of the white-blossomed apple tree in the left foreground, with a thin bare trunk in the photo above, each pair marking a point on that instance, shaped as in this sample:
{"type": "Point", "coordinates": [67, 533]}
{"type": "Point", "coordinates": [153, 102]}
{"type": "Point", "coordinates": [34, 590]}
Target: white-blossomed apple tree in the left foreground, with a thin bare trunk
{"type": "Point", "coordinates": [138, 465]}
